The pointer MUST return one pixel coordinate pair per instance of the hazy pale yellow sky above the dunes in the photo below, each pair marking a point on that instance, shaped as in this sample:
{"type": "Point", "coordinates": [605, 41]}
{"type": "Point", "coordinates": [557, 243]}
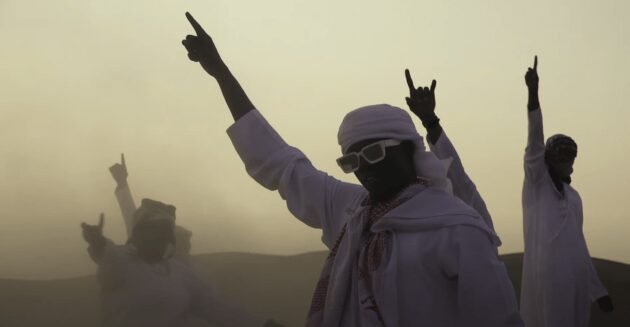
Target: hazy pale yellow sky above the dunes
{"type": "Point", "coordinates": [83, 81]}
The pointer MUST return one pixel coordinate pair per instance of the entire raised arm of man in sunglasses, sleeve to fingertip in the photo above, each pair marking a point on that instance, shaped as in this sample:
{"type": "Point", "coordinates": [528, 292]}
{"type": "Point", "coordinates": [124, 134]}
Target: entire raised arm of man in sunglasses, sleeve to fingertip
{"type": "Point", "coordinates": [314, 197]}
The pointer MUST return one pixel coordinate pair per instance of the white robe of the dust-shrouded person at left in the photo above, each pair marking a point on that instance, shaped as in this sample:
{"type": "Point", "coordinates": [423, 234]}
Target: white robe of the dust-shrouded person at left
{"type": "Point", "coordinates": [166, 294]}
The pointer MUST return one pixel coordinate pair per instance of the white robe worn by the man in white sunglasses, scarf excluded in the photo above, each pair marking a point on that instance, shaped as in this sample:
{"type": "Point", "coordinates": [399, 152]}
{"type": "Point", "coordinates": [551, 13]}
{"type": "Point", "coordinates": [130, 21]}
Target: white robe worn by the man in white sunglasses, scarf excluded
{"type": "Point", "coordinates": [441, 267]}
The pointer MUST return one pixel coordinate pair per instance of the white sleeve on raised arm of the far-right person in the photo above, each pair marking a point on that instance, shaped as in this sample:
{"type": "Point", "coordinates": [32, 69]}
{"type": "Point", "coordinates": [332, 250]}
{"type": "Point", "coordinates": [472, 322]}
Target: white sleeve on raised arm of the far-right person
{"type": "Point", "coordinates": [535, 166]}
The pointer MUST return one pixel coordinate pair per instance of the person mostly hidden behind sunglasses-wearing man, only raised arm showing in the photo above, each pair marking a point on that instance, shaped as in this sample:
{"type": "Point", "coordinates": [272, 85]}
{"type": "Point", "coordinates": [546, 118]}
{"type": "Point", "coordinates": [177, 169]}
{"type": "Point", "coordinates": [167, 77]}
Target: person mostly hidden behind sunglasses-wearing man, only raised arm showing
{"type": "Point", "coordinates": [421, 102]}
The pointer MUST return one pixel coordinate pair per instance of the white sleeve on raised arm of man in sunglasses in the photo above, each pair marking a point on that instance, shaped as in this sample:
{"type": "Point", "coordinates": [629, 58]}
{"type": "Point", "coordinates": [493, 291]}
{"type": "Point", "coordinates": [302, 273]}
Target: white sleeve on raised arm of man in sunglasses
{"type": "Point", "coordinates": [312, 196]}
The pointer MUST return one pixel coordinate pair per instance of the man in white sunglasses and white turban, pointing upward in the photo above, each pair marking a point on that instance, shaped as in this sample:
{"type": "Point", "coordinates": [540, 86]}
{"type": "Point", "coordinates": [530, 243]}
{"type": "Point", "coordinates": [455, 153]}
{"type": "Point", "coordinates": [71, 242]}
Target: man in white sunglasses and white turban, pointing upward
{"type": "Point", "coordinates": [403, 251]}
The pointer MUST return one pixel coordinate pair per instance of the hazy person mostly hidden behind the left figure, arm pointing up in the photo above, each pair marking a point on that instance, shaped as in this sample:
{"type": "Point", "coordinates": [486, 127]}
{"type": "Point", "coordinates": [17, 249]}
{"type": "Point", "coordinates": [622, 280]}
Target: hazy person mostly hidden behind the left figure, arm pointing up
{"type": "Point", "coordinates": [128, 207]}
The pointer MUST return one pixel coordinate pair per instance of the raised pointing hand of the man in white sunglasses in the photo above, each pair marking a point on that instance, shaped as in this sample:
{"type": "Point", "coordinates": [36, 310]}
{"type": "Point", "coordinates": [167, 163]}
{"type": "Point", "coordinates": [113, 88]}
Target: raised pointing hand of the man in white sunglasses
{"type": "Point", "coordinates": [201, 49]}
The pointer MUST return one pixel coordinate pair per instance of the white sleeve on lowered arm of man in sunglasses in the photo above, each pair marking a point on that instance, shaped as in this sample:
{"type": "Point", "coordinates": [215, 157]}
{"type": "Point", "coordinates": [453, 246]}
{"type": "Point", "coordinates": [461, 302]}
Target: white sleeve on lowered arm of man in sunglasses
{"type": "Point", "coordinates": [485, 295]}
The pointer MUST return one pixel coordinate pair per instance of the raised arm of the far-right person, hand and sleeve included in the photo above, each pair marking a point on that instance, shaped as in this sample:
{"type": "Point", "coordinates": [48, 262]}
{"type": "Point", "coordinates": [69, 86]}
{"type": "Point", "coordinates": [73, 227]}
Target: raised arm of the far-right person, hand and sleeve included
{"type": "Point", "coordinates": [535, 152]}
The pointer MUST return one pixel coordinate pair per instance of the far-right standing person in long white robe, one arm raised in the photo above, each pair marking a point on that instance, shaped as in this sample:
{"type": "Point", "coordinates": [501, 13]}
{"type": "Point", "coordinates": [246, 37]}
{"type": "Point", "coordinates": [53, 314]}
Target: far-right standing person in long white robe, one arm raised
{"type": "Point", "coordinates": [559, 280]}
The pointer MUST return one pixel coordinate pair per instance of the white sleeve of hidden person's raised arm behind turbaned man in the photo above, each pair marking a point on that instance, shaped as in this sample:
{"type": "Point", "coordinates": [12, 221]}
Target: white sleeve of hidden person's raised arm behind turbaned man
{"type": "Point", "coordinates": [463, 186]}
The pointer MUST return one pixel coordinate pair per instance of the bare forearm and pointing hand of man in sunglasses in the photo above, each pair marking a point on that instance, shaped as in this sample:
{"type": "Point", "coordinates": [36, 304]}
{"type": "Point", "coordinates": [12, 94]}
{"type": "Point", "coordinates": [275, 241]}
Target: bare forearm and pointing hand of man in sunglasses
{"type": "Point", "coordinates": [201, 49]}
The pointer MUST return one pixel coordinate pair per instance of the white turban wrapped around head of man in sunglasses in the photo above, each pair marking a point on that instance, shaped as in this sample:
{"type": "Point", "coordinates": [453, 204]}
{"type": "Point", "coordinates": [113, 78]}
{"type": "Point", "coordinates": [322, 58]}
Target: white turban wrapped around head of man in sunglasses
{"type": "Point", "coordinates": [383, 121]}
